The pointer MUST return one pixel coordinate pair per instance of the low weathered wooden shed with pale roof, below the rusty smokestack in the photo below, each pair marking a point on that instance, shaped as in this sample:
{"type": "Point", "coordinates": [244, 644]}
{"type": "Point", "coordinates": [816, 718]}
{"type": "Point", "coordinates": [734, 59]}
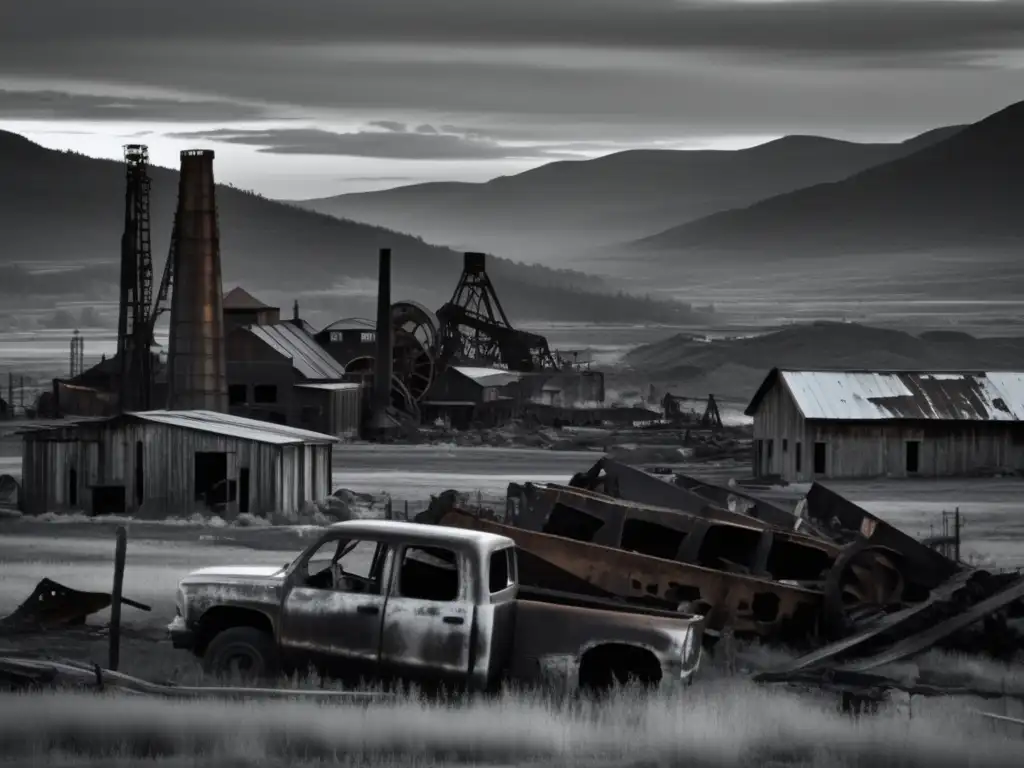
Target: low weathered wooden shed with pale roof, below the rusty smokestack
{"type": "Point", "coordinates": [159, 464]}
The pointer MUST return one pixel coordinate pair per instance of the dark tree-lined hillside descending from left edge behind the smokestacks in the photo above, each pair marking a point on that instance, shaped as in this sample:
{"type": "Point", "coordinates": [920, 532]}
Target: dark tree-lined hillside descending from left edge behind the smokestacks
{"type": "Point", "coordinates": [62, 218]}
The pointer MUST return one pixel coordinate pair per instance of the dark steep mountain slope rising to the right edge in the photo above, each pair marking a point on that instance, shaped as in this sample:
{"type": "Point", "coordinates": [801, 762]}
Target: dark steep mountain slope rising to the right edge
{"type": "Point", "coordinates": [961, 193]}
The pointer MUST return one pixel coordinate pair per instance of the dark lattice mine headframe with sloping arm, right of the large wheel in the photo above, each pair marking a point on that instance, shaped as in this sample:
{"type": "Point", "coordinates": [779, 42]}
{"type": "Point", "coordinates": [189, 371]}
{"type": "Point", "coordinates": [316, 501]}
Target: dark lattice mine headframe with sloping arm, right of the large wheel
{"type": "Point", "coordinates": [475, 328]}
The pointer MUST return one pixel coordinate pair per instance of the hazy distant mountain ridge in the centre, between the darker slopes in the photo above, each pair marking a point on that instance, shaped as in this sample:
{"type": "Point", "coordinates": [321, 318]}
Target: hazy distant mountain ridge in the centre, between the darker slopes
{"type": "Point", "coordinates": [572, 205]}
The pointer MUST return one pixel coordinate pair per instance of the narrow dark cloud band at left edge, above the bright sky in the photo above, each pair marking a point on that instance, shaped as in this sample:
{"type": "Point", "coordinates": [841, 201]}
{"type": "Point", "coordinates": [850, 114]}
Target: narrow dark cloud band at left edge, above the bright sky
{"type": "Point", "coordinates": [52, 105]}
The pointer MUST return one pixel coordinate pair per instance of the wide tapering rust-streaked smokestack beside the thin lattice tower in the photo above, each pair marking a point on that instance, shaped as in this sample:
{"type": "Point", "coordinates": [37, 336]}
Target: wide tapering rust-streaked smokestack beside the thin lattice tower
{"type": "Point", "coordinates": [197, 376]}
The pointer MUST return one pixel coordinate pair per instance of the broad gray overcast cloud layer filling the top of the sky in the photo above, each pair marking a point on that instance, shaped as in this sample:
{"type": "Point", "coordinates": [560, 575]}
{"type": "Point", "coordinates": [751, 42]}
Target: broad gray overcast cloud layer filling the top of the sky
{"type": "Point", "coordinates": [547, 71]}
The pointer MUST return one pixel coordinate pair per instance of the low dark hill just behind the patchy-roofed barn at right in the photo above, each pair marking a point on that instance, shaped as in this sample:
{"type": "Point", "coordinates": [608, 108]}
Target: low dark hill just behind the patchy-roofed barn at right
{"type": "Point", "coordinates": [736, 367]}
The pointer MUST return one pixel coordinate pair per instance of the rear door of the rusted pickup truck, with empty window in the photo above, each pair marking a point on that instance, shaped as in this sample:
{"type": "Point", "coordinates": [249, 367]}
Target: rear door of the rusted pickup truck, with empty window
{"type": "Point", "coordinates": [429, 619]}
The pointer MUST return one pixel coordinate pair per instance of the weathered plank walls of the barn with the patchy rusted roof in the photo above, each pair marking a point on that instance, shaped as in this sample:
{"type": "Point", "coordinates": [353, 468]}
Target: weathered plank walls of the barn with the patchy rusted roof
{"type": "Point", "coordinates": [864, 450]}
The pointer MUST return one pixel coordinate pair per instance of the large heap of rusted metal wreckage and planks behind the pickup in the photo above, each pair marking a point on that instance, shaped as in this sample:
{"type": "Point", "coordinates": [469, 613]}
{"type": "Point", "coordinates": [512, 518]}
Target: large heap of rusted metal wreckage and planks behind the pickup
{"type": "Point", "coordinates": [828, 579]}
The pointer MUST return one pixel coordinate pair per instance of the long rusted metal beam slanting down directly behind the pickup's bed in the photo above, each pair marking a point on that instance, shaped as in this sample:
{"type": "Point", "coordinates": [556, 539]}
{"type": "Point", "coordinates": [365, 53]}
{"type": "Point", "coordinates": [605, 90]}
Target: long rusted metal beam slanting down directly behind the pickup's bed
{"type": "Point", "coordinates": [750, 606]}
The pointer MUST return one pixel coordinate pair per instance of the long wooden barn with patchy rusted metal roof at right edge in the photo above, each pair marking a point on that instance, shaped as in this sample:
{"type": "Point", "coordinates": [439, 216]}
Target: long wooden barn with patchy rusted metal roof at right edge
{"type": "Point", "coordinates": [829, 424]}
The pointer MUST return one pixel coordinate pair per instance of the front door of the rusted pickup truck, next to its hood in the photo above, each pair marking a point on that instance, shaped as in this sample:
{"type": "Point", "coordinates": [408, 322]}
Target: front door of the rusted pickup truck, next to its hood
{"type": "Point", "coordinates": [333, 610]}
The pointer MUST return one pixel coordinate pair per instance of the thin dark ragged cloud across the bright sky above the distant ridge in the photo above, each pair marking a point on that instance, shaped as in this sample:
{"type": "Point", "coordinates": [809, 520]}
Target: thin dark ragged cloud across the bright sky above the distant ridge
{"type": "Point", "coordinates": [395, 144]}
